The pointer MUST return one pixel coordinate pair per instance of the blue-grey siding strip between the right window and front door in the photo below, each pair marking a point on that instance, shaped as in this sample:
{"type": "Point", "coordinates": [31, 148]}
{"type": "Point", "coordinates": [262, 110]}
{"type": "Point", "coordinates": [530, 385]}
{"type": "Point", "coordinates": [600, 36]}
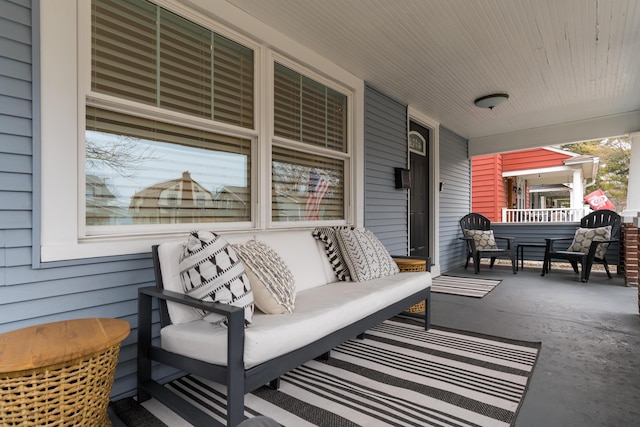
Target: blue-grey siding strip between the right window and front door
{"type": "Point", "coordinates": [385, 208]}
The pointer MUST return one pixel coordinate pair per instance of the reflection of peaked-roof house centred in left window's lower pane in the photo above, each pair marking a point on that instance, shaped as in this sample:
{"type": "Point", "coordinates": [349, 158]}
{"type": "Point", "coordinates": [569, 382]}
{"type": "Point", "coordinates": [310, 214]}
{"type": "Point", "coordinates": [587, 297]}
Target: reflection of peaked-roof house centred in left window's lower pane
{"type": "Point", "coordinates": [180, 200]}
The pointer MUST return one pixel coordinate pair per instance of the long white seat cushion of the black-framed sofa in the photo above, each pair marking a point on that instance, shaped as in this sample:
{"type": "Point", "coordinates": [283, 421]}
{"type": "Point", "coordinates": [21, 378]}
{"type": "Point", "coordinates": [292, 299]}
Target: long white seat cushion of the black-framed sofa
{"type": "Point", "coordinates": [319, 311]}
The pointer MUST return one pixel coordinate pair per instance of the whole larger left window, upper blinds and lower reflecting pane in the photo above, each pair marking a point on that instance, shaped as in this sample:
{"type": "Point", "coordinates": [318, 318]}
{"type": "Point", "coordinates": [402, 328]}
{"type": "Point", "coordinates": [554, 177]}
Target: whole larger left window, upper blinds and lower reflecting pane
{"type": "Point", "coordinates": [148, 171]}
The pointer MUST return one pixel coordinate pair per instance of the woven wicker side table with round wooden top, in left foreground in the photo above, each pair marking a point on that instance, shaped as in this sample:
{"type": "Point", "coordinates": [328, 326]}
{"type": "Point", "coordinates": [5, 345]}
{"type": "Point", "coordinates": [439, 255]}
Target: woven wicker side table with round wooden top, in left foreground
{"type": "Point", "coordinates": [60, 373]}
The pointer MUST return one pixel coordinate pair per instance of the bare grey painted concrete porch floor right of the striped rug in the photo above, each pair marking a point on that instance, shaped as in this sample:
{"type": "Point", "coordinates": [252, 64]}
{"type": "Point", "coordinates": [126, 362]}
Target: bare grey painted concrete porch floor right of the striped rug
{"type": "Point", "coordinates": [588, 372]}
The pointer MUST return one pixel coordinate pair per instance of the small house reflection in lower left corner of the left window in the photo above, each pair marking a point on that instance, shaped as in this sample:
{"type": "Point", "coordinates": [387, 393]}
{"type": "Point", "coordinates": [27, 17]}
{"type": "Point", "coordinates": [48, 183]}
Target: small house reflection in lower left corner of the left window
{"type": "Point", "coordinates": [101, 204]}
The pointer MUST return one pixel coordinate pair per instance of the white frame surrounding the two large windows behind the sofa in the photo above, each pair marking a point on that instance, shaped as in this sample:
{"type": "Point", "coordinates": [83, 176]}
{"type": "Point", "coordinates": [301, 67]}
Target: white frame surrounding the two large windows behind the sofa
{"type": "Point", "coordinates": [65, 44]}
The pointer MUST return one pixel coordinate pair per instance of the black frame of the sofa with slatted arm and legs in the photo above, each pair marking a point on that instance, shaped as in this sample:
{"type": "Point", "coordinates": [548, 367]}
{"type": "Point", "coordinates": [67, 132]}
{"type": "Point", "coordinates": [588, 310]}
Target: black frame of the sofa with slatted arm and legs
{"type": "Point", "coordinates": [237, 379]}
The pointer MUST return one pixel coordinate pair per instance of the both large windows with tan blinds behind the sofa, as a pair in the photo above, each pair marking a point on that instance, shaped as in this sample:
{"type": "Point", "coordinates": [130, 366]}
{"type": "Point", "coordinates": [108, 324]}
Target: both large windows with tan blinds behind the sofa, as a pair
{"type": "Point", "coordinates": [146, 165]}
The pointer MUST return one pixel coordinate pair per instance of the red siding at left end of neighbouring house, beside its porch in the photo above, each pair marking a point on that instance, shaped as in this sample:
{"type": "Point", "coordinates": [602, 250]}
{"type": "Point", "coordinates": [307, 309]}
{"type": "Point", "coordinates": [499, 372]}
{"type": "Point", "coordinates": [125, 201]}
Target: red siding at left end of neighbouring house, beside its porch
{"type": "Point", "coordinates": [488, 194]}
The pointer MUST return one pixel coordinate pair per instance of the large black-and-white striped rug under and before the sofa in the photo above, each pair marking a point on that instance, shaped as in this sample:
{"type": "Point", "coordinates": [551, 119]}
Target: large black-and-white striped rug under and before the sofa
{"type": "Point", "coordinates": [399, 375]}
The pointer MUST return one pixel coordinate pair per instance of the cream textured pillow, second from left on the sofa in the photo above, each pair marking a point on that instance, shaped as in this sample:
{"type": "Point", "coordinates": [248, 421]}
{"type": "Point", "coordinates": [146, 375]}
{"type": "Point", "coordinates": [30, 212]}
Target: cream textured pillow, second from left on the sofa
{"type": "Point", "coordinates": [271, 280]}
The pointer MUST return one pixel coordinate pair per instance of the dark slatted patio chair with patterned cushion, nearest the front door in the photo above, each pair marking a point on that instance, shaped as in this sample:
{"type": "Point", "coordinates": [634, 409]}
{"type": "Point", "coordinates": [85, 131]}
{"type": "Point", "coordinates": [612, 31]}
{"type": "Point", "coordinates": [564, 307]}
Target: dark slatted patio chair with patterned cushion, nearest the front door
{"type": "Point", "coordinates": [481, 242]}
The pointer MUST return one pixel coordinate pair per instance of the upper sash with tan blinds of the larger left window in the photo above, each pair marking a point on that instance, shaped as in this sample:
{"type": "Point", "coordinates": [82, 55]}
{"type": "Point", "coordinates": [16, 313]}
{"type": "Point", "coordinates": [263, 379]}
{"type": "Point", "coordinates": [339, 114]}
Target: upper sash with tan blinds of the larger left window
{"type": "Point", "coordinates": [144, 53]}
